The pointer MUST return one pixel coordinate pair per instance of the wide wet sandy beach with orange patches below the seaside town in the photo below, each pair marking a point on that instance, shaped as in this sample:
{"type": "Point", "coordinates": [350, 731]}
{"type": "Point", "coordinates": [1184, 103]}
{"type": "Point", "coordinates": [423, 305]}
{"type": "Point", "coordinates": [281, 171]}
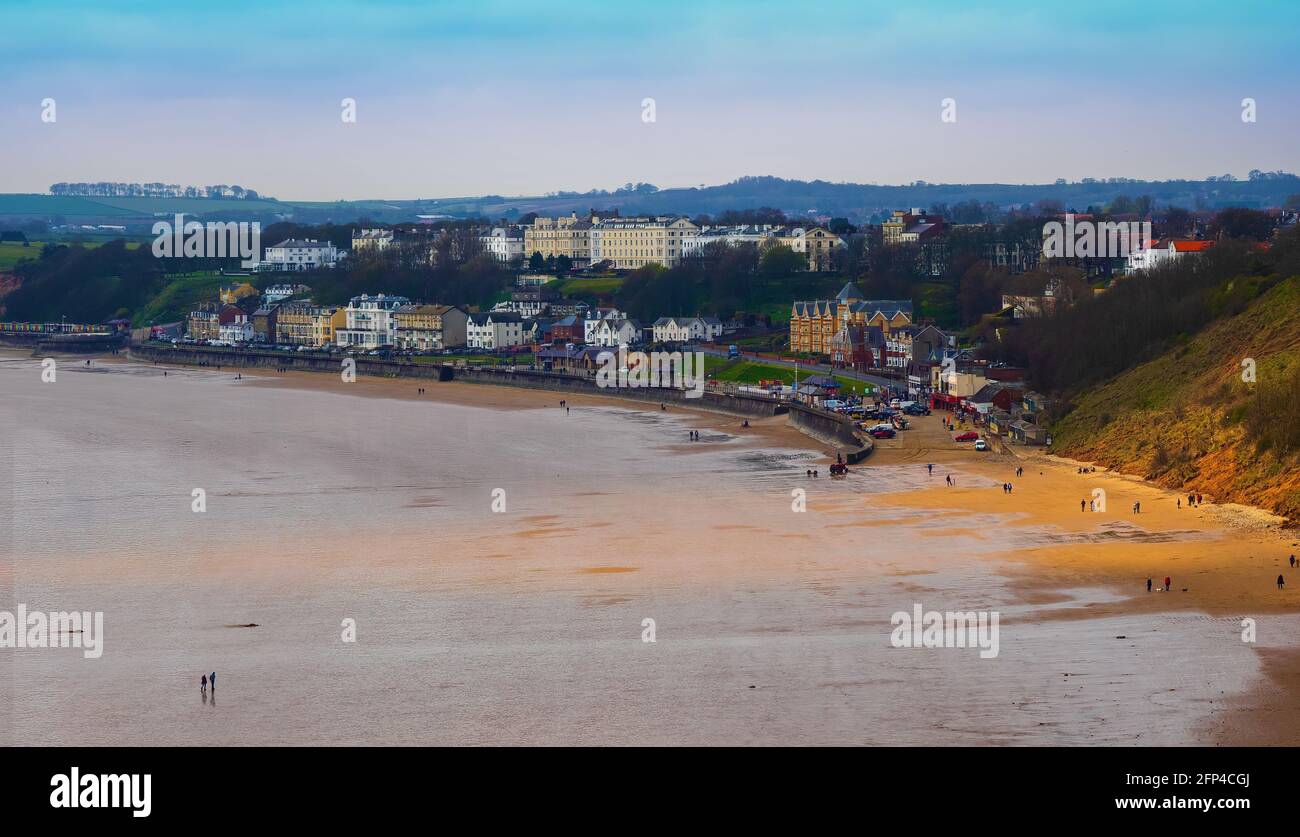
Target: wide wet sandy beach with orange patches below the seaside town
{"type": "Point", "coordinates": [370, 501]}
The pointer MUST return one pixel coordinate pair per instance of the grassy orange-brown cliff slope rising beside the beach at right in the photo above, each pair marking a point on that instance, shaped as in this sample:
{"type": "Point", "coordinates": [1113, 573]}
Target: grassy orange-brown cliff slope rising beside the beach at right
{"type": "Point", "coordinates": [1189, 420]}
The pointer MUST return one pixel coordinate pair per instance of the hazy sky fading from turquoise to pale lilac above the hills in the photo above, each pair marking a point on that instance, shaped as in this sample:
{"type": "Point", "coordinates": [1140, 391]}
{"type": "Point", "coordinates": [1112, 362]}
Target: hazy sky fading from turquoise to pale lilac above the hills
{"type": "Point", "coordinates": [525, 98]}
